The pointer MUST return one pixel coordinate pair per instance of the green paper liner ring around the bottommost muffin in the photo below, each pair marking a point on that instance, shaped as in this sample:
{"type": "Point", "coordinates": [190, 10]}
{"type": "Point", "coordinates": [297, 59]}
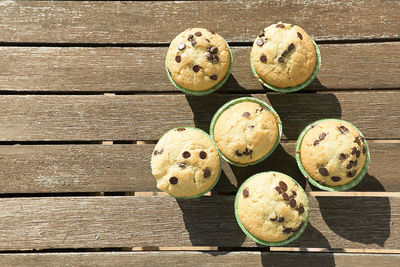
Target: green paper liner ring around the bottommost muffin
{"type": "Point", "coordinates": [260, 241]}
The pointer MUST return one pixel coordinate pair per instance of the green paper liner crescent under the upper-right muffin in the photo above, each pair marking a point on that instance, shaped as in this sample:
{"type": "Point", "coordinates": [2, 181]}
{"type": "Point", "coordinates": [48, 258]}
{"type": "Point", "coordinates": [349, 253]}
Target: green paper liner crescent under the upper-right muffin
{"type": "Point", "coordinates": [295, 88]}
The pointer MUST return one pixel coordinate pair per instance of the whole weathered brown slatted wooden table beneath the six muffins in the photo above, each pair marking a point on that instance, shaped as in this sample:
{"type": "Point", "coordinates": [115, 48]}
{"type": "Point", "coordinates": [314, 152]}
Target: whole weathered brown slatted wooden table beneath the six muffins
{"type": "Point", "coordinates": [84, 98]}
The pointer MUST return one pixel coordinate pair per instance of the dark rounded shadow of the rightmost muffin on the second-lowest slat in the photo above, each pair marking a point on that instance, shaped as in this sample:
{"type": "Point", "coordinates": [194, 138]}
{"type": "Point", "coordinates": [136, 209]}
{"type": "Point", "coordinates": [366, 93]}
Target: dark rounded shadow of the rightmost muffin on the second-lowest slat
{"type": "Point", "coordinates": [367, 217]}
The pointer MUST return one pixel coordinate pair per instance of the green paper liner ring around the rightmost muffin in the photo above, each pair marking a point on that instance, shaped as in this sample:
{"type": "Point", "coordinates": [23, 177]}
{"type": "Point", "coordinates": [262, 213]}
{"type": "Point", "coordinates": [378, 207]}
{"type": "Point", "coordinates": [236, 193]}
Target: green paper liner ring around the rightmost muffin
{"type": "Point", "coordinates": [338, 188]}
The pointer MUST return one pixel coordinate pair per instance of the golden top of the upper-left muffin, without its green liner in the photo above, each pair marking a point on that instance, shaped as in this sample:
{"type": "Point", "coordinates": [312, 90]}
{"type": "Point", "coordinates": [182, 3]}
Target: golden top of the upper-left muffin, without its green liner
{"type": "Point", "coordinates": [198, 59]}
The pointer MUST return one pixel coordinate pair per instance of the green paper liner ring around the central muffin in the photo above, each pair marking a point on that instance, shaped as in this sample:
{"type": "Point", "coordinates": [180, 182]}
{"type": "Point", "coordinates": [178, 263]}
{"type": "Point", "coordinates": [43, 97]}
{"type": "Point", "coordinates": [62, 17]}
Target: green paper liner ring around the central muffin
{"type": "Point", "coordinates": [246, 99]}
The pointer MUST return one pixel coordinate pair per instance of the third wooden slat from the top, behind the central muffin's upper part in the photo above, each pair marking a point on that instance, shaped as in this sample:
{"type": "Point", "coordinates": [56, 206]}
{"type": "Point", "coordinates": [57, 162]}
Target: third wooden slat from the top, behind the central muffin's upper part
{"type": "Point", "coordinates": [147, 117]}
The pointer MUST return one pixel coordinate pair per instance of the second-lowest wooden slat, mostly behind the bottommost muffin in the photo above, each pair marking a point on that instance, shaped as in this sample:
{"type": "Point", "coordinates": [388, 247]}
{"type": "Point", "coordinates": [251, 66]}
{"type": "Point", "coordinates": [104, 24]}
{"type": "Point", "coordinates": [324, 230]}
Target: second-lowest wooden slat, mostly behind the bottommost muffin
{"type": "Point", "coordinates": [90, 222]}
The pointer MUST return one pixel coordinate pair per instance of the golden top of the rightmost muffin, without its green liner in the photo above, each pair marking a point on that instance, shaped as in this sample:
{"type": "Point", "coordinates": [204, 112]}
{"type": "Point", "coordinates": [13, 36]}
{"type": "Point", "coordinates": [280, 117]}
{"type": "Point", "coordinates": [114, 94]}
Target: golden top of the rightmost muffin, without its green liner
{"type": "Point", "coordinates": [333, 152]}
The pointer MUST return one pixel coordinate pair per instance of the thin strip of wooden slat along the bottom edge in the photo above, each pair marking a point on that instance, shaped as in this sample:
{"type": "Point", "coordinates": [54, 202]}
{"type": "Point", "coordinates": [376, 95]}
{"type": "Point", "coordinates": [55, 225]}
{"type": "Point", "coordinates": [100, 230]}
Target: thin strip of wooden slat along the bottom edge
{"type": "Point", "coordinates": [177, 259]}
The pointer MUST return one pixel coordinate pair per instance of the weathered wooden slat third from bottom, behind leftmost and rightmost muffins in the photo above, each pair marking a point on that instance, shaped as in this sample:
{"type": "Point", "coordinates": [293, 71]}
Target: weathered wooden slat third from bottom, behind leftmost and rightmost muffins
{"type": "Point", "coordinates": [121, 168]}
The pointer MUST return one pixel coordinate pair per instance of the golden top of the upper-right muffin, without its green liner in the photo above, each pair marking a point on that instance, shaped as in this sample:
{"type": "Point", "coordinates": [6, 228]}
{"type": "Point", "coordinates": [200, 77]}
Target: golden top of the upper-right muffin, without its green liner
{"type": "Point", "coordinates": [283, 55]}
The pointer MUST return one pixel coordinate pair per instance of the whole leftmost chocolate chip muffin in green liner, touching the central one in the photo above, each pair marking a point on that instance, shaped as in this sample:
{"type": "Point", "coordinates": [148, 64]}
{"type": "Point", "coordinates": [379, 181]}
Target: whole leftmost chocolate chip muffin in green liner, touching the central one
{"type": "Point", "coordinates": [185, 163]}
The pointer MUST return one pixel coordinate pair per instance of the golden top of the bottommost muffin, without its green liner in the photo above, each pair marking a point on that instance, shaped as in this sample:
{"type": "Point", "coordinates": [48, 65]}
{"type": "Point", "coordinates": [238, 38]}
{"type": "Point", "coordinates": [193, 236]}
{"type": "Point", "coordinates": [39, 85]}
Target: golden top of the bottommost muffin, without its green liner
{"type": "Point", "coordinates": [272, 207]}
